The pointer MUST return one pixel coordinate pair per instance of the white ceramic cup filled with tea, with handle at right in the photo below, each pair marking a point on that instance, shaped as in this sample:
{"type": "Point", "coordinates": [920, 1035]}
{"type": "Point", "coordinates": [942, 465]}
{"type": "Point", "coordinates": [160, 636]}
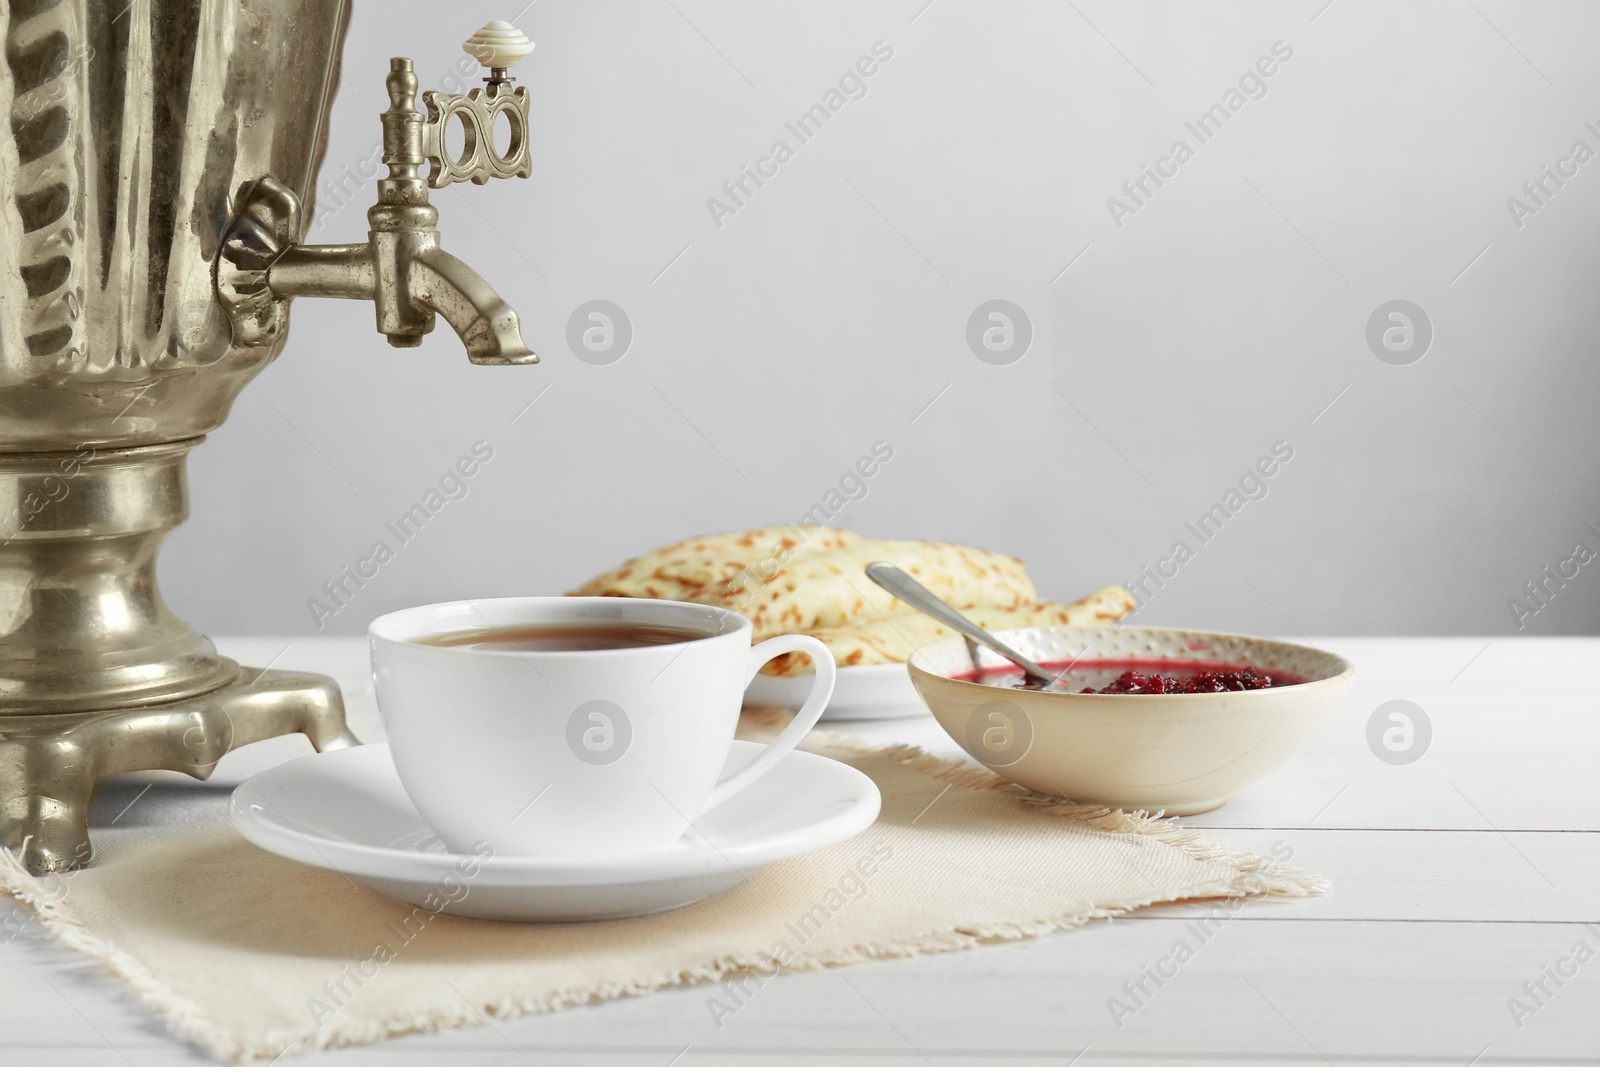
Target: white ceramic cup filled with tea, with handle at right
{"type": "Point", "coordinates": [574, 753]}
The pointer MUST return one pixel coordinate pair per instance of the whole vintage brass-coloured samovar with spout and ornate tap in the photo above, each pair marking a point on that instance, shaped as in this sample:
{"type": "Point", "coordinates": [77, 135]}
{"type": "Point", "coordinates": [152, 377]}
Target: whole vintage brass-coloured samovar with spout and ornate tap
{"type": "Point", "coordinates": [158, 169]}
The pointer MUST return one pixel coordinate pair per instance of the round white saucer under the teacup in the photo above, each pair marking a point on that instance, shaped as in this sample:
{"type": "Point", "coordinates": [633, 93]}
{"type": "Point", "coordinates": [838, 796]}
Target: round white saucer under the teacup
{"type": "Point", "coordinates": [346, 812]}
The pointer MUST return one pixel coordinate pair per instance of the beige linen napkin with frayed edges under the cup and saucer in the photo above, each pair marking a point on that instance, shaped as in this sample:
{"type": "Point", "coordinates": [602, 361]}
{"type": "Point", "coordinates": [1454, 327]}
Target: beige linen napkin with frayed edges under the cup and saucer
{"type": "Point", "coordinates": [250, 956]}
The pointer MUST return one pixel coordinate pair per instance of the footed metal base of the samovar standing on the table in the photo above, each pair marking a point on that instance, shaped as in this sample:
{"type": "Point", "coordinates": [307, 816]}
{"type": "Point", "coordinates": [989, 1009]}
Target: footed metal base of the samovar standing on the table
{"type": "Point", "coordinates": [52, 764]}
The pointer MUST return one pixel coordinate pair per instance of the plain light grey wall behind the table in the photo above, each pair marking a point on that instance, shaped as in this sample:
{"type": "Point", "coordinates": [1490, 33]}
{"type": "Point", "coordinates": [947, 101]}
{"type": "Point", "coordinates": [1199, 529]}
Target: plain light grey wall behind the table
{"type": "Point", "coordinates": [831, 313]}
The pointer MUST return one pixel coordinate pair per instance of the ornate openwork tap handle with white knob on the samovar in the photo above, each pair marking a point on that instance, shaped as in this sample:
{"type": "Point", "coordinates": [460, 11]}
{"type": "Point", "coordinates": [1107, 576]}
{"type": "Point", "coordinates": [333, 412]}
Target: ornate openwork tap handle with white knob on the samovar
{"type": "Point", "coordinates": [498, 46]}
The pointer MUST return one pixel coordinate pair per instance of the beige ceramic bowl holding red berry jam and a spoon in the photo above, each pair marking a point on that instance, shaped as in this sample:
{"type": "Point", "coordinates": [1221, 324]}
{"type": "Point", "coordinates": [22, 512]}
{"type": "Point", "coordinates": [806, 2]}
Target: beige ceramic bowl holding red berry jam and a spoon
{"type": "Point", "coordinates": [1182, 754]}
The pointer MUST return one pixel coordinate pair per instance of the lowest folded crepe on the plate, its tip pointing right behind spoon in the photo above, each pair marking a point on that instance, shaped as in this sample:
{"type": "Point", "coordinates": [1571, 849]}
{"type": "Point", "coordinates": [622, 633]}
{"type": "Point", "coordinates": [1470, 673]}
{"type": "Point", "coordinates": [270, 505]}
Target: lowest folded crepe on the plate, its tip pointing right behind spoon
{"type": "Point", "coordinates": [894, 639]}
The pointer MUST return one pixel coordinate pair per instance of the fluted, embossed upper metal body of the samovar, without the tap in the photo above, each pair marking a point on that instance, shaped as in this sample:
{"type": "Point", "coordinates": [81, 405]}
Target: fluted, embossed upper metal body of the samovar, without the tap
{"type": "Point", "coordinates": [130, 130]}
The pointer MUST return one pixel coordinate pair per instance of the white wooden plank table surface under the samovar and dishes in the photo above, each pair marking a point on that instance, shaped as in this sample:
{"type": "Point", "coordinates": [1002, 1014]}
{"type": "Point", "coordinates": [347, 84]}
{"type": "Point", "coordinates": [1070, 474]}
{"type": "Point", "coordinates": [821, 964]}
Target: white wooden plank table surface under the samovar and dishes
{"type": "Point", "coordinates": [1457, 881]}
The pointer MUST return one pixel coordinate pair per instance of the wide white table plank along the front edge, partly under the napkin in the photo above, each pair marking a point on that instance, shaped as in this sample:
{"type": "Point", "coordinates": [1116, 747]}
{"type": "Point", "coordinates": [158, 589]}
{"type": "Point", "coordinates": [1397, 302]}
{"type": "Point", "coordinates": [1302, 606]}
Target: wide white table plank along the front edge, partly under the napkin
{"type": "Point", "coordinates": [1289, 991]}
